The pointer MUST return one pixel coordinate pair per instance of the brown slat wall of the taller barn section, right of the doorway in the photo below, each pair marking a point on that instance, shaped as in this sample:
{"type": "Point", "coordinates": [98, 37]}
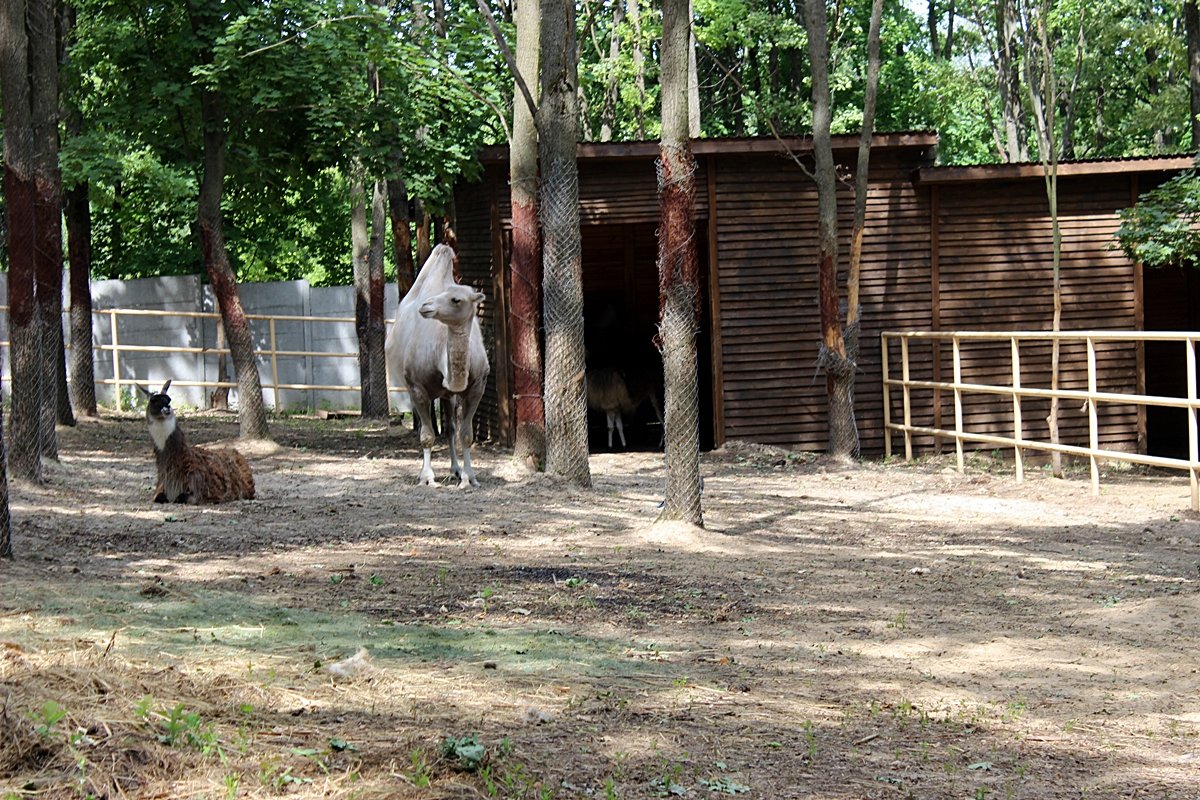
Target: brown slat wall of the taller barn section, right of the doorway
{"type": "Point", "coordinates": [767, 278]}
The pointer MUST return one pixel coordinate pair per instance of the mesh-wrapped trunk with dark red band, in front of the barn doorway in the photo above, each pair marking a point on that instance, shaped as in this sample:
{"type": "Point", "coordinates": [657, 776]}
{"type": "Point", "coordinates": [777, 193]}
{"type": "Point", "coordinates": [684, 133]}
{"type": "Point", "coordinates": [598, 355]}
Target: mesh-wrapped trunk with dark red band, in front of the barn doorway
{"type": "Point", "coordinates": [679, 274]}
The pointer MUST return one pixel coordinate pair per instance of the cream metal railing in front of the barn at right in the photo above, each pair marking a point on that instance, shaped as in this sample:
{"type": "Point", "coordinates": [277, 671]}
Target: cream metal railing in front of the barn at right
{"type": "Point", "coordinates": [1091, 398]}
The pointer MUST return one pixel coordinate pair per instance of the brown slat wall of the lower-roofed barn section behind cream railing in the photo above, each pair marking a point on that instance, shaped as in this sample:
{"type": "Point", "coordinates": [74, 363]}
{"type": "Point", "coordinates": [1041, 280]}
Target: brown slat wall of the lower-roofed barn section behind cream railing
{"type": "Point", "coordinates": [995, 273]}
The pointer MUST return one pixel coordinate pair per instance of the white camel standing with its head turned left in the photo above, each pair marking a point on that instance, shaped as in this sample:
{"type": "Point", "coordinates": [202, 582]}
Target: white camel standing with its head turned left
{"type": "Point", "coordinates": [436, 351]}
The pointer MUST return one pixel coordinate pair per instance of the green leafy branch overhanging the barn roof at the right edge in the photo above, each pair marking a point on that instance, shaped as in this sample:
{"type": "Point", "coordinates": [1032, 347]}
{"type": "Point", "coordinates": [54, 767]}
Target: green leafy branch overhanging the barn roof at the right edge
{"type": "Point", "coordinates": [1163, 228]}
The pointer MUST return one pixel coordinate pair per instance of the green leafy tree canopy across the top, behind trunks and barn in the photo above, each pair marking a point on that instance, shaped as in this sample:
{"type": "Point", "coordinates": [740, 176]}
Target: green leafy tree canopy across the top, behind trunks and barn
{"type": "Point", "coordinates": [302, 110]}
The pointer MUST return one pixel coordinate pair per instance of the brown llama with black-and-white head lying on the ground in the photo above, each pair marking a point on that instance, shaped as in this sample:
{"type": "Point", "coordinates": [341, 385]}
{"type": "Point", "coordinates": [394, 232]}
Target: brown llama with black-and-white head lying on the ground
{"type": "Point", "coordinates": [190, 474]}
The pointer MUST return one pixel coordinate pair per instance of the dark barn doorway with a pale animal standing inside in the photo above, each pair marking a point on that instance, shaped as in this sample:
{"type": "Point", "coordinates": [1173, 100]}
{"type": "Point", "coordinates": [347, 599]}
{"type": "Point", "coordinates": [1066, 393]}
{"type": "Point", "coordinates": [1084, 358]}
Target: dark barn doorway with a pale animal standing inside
{"type": "Point", "coordinates": [621, 316]}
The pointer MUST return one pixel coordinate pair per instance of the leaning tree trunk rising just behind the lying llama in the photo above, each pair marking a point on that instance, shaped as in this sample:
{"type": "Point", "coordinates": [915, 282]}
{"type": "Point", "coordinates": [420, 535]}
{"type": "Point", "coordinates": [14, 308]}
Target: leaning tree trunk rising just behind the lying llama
{"type": "Point", "coordinates": [251, 411]}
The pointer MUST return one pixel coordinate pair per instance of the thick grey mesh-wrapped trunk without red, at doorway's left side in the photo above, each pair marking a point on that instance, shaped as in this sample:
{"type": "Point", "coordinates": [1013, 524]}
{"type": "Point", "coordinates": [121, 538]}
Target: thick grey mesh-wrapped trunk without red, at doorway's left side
{"type": "Point", "coordinates": [567, 430]}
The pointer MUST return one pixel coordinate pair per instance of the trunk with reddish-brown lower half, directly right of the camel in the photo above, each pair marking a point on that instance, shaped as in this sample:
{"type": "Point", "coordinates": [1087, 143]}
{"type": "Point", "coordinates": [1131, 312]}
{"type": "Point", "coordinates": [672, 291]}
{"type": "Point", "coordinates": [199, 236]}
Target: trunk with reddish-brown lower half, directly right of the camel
{"type": "Point", "coordinates": [525, 321]}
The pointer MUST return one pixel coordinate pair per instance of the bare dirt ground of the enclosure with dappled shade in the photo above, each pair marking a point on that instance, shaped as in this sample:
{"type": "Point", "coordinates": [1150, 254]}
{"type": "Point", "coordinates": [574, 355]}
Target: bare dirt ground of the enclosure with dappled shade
{"type": "Point", "coordinates": [866, 631]}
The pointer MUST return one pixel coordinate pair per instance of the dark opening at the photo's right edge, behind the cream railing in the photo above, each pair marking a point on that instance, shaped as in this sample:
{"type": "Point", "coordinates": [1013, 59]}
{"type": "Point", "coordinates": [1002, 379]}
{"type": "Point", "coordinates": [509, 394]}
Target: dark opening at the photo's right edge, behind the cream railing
{"type": "Point", "coordinates": [1173, 304]}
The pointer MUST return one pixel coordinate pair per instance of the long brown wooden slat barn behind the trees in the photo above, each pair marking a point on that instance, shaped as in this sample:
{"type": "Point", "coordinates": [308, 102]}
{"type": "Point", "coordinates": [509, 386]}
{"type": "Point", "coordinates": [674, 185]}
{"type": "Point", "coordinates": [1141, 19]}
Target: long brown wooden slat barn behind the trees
{"type": "Point", "coordinates": [946, 249]}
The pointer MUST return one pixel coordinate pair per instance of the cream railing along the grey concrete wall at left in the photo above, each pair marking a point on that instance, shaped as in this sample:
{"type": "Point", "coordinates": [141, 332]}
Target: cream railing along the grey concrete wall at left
{"type": "Point", "coordinates": [272, 354]}
